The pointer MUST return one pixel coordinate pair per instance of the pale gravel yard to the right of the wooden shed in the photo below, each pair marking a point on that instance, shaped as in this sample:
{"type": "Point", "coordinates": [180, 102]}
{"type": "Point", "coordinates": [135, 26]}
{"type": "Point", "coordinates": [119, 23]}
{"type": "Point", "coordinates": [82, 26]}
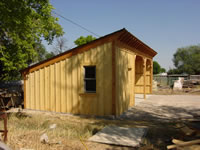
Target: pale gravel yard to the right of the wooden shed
{"type": "Point", "coordinates": [164, 108]}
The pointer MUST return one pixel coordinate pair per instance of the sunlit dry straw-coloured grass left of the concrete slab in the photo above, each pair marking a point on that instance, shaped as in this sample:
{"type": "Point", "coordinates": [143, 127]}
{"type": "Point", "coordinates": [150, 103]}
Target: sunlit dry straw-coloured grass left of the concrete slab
{"type": "Point", "coordinates": [25, 129]}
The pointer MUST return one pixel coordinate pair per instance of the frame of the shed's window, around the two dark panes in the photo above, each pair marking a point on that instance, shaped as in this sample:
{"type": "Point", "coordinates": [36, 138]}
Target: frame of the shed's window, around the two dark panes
{"type": "Point", "coordinates": [89, 79]}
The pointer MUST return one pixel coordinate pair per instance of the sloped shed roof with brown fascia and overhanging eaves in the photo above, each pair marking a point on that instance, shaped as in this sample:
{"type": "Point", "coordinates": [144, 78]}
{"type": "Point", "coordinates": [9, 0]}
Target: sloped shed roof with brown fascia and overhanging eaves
{"type": "Point", "coordinates": [123, 36]}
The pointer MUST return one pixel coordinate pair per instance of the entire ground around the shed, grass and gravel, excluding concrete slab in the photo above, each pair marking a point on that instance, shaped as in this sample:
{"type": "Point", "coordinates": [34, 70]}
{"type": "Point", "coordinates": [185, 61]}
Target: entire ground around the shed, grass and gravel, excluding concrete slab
{"type": "Point", "coordinates": [163, 115]}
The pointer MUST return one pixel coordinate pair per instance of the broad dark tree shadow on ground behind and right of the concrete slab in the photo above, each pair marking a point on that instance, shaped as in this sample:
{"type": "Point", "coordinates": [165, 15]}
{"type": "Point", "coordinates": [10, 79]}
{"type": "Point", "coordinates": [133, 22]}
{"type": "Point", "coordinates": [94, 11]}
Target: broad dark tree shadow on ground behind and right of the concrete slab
{"type": "Point", "coordinates": [161, 123]}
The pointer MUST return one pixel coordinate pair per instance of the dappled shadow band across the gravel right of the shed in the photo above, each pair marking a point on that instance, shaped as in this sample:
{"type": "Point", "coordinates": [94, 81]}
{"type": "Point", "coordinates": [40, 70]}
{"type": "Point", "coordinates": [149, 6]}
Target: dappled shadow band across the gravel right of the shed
{"type": "Point", "coordinates": [160, 113]}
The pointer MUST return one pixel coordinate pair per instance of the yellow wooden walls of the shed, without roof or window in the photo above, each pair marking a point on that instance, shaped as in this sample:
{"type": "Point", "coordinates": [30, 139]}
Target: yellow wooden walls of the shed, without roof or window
{"type": "Point", "coordinates": [60, 86]}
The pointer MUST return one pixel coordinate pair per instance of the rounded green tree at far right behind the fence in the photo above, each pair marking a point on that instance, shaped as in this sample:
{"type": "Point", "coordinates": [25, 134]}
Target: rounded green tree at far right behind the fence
{"type": "Point", "coordinates": [187, 60]}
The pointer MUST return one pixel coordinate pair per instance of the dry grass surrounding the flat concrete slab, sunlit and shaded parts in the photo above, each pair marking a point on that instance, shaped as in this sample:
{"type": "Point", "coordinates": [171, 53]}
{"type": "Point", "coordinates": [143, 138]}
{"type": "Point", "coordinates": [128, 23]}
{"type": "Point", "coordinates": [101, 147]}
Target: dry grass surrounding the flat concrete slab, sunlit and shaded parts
{"type": "Point", "coordinates": [25, 129]}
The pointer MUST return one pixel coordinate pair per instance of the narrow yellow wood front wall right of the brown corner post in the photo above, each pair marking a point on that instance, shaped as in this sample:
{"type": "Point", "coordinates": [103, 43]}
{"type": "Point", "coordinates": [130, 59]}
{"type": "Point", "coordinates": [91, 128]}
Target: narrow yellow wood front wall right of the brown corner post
{"type": "Point", "coordinates": [125, 72]}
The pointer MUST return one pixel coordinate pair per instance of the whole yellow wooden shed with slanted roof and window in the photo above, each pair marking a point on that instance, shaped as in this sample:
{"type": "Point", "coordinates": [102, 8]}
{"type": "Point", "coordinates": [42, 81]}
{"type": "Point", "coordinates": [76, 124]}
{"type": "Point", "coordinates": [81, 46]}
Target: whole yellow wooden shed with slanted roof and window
{"type": "Point", "coordinates": [99, 78]}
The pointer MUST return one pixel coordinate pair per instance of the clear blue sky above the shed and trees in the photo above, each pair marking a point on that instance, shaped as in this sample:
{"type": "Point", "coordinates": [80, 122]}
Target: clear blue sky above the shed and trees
{"type": "Point", "coordinates": [164, 25]}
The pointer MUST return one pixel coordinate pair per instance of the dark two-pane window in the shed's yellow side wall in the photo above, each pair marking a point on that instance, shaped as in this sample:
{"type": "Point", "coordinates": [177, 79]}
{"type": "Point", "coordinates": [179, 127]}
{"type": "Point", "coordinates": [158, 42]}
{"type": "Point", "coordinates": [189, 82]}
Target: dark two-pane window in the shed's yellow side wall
{"type": "Point", "coordinates": [90, 79]}
